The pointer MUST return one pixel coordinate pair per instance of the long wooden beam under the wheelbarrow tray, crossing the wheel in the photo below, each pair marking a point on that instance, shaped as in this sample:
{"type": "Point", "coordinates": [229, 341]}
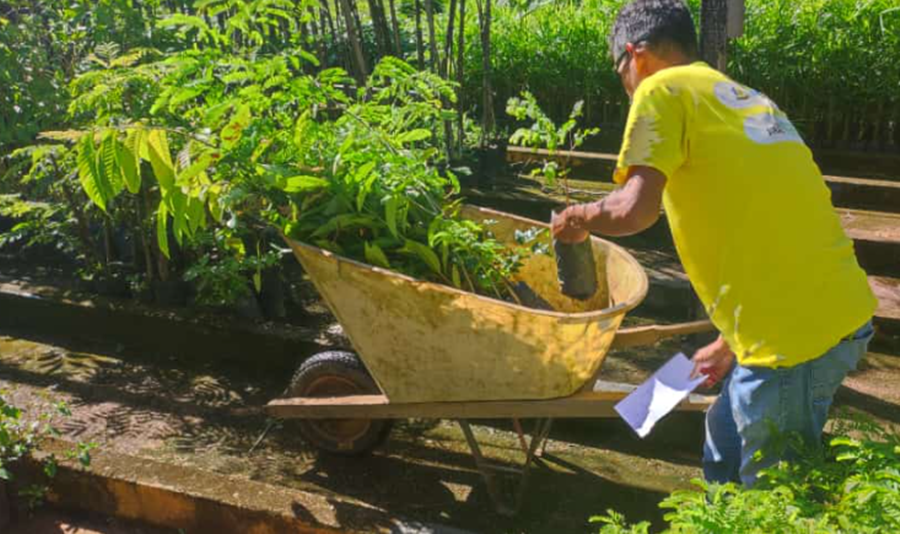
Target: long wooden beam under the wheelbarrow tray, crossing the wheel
{"type": "Point", "coordinates": [583, 404]}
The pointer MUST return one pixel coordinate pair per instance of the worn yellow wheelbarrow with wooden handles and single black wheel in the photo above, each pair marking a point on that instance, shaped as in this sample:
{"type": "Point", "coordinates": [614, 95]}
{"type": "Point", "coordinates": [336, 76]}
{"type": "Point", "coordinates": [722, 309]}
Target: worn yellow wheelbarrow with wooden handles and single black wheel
{"type": "Point", "coordinates": [426, 350]}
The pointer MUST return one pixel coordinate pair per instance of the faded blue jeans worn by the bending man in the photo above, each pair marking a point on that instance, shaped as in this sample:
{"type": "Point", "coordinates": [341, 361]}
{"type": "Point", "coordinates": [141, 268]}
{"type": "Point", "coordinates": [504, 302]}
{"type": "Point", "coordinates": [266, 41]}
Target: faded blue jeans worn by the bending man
{"type": "Point", "coordinates": [758, 405]}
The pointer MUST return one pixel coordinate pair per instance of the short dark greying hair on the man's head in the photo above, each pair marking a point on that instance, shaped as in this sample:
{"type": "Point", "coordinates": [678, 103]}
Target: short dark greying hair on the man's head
{"type": "Point", "coordinates": [661, 23]}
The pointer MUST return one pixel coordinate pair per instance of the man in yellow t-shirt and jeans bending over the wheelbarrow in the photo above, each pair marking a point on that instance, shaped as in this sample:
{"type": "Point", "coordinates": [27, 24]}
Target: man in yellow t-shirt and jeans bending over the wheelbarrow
{"type": "Point", "coordinates": [754, 227]}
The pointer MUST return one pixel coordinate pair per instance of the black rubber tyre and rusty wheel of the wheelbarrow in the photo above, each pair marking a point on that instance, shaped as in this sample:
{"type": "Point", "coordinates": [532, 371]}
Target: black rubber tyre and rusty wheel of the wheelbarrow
{"type": "Point", "coordinates": [338, 374]}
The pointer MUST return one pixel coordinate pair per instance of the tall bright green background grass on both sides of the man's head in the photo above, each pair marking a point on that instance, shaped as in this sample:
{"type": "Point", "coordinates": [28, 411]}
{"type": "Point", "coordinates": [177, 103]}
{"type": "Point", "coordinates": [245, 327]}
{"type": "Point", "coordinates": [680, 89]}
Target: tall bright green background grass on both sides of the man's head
{"type": "Point", "coordinates": [833, 65]}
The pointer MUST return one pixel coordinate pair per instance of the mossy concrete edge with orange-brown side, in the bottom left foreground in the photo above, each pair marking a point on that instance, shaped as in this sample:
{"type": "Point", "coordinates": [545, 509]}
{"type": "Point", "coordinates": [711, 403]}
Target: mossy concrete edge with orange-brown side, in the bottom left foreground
{"type": "Point", "coordinates": [178, 497]}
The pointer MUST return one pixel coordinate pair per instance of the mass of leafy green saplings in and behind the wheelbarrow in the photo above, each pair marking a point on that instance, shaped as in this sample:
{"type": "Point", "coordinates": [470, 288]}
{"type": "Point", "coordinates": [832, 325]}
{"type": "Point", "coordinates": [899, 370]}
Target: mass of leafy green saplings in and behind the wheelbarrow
{"type": "Point", "coordinates": [227, 139]}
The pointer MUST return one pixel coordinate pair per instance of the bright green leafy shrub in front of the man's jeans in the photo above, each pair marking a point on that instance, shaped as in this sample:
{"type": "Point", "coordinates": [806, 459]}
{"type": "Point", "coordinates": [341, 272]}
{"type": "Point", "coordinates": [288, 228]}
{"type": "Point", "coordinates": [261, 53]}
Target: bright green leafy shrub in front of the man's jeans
{"type": "Point", "coordinates": [853, 487]}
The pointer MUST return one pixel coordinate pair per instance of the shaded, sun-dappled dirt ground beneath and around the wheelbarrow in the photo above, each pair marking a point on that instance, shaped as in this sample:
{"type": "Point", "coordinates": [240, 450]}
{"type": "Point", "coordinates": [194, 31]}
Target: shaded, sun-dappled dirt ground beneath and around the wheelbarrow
{"type": "Point", "coordinates": [204, 414]}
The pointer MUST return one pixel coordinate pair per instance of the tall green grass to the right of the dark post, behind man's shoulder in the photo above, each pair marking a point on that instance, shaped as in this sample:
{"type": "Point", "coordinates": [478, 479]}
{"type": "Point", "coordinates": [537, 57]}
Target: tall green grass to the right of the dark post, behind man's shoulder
{"type": "Point", "coordinates": [832, 64]}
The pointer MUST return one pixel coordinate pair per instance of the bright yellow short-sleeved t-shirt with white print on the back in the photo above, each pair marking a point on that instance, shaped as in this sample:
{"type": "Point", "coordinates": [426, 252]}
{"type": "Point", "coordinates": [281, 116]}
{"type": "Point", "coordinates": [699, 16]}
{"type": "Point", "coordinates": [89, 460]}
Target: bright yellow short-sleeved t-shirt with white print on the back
{"type": "Point", "coordinates": [750, 215]}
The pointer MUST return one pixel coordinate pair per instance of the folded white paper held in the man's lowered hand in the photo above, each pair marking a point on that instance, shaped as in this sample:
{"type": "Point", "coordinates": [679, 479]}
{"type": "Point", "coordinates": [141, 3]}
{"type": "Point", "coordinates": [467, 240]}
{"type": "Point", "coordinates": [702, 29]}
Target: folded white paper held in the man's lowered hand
{"type": "Point", "coordinates": [661, 393]}
